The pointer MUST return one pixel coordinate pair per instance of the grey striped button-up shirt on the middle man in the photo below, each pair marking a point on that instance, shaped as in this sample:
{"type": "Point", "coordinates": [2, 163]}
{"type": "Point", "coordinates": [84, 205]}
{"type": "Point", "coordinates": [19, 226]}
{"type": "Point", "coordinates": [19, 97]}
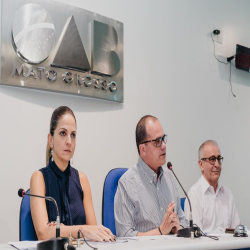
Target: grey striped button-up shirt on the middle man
{"type": "Point", "coordinates": [141, 201]}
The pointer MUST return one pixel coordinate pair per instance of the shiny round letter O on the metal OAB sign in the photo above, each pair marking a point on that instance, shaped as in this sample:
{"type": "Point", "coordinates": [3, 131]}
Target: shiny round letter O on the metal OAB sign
{"type": "Point", "coordinates": [33, 33]}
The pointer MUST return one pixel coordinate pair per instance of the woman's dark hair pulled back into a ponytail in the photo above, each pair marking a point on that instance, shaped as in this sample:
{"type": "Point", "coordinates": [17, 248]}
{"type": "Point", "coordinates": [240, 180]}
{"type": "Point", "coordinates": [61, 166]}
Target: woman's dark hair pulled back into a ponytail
{"type": "Point", "coordinates": [56, 116]}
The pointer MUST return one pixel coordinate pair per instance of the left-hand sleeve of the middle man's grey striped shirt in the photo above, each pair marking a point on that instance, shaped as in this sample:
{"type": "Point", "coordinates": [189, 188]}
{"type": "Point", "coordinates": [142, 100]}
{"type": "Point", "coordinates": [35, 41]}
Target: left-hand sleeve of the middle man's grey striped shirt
{"type": "Point", "coordinates": [124, 213]}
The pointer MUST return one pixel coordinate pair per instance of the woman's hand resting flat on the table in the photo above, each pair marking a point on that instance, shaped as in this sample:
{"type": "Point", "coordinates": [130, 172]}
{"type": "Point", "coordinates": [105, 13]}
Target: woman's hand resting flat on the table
{"type": "Point", "coordinates": [97, 233]}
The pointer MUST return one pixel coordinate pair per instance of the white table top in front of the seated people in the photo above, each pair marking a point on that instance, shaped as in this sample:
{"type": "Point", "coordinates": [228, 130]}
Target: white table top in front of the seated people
{"type": "Point", "coordinates": [203, 243]}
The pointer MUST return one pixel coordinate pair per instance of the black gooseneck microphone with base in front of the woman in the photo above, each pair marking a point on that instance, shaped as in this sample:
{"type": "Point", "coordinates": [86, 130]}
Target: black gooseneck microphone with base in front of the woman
{"type": "Point", "coordinates": [57, 243]}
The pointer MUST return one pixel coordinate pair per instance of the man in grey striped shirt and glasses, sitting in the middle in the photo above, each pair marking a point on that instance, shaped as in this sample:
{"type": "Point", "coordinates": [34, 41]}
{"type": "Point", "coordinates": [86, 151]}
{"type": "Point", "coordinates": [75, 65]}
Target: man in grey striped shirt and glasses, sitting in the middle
{"type": "Point", "coordinates": [147, 200]}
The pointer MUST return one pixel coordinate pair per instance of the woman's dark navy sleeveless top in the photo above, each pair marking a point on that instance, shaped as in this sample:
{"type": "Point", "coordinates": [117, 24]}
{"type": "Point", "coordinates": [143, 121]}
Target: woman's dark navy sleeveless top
{"type": "Point", "coordinates": [65, 188]}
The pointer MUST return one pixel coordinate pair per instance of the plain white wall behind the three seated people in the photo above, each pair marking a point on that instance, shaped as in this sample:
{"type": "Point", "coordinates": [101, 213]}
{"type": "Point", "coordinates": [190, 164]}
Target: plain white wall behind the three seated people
{"type": "Point", "coordinates": [170, 72]}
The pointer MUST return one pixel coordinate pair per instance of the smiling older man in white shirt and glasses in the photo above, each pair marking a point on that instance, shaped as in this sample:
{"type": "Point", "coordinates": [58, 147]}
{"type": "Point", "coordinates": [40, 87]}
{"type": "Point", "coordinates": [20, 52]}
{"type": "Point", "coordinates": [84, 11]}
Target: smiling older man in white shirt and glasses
{"type": "Point", "coordinates": [213, 206]}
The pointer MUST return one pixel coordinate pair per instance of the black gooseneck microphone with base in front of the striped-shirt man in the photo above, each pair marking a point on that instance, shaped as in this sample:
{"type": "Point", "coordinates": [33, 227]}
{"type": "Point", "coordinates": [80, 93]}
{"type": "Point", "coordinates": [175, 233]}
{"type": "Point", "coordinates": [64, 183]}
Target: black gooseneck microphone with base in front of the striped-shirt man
{"type": "Point", "coordinates": [190, 231]}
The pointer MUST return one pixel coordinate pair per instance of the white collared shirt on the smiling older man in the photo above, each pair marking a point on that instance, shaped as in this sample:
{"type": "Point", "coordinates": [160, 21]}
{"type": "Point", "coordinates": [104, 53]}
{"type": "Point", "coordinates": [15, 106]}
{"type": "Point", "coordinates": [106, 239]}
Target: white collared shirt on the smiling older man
{"type": "Point", "coordinates": [212, 211]}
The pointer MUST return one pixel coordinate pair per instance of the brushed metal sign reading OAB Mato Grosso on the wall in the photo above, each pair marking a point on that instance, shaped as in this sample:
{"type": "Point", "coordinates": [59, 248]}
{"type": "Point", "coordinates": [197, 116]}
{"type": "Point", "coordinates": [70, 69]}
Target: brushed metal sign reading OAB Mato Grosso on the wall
{"type": "Point", "coordinates": [51, 46]}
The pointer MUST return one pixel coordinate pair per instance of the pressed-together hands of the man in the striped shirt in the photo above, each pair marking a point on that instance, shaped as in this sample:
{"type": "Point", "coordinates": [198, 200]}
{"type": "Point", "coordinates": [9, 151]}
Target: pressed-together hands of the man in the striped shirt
{"type": "Point", "coordinates": [170, 220]}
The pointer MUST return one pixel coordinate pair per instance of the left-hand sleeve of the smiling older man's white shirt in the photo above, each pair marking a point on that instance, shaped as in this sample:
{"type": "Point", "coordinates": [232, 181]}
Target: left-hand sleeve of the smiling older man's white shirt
{"type": "Point", "coordinates": [196, 209]}
